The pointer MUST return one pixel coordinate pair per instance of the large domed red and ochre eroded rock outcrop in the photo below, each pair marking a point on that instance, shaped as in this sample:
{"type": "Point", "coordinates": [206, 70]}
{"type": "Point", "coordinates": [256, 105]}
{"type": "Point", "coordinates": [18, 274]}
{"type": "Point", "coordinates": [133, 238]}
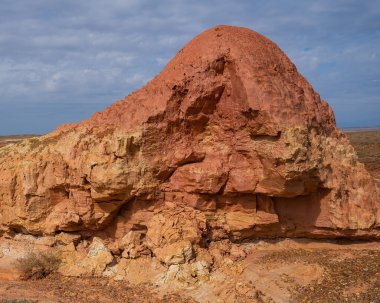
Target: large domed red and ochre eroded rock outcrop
{"type": "Point", "coordinates": [229, 141]}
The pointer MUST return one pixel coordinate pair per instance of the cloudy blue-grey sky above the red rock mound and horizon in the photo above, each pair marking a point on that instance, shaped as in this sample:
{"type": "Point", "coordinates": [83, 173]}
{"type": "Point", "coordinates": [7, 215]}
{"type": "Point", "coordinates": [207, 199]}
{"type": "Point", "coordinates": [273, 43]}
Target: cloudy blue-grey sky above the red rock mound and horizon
{"type": "Point", "coordinates": [61, 61]}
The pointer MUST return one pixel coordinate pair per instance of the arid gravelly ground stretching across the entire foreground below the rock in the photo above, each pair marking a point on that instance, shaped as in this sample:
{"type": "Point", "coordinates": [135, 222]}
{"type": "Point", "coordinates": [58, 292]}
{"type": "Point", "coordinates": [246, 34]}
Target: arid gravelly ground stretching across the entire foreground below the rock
{"type": "Point", "coordinates": [277, 271]}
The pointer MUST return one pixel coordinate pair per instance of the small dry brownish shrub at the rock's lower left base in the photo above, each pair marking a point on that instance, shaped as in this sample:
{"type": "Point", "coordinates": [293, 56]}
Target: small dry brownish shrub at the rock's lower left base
{"type": "Point", "coordinates": [38, 265]}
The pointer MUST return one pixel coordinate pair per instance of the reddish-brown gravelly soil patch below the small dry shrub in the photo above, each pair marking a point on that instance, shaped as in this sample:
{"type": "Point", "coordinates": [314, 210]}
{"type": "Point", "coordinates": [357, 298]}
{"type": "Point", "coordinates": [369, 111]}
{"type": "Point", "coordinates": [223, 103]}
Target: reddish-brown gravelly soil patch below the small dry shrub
{"type": "Point", "coordinates": [61, 289]}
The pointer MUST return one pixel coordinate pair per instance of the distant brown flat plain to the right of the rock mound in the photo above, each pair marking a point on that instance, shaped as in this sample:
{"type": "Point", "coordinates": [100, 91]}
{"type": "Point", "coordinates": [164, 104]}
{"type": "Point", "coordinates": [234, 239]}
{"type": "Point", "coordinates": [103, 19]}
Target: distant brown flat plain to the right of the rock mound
{"type": "Point", "coordinates": [367, 146]}
